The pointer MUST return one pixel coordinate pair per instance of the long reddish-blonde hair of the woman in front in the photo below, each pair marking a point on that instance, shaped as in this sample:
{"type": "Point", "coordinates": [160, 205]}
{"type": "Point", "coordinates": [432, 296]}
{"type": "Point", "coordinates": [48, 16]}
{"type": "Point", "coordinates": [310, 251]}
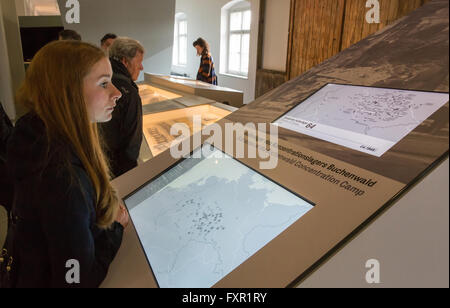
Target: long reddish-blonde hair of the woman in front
{"type": "Point", "coordinates": [53, 89]}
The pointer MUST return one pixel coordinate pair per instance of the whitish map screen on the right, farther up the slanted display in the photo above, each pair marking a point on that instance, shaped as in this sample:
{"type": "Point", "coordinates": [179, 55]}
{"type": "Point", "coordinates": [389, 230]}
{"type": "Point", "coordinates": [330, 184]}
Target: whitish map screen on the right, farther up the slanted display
{"type": "Point", "coordinates": [370, 120]}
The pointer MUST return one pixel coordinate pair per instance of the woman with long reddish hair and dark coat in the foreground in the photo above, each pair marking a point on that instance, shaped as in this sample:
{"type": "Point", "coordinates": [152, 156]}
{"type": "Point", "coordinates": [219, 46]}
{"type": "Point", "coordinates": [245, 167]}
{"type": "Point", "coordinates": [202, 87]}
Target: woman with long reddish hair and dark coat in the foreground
{"type": "Point", "coordinates": [65, 211]}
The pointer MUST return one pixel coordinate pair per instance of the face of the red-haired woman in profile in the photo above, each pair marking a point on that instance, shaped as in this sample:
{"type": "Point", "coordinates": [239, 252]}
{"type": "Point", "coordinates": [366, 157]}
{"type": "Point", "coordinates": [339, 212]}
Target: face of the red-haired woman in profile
{"type": "Point", "coordinates": [99, 93]}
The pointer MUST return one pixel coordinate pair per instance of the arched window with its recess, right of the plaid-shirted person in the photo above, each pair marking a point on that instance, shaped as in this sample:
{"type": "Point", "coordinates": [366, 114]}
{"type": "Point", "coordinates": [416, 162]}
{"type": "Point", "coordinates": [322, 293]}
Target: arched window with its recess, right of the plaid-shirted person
{"type": "Point", "coordinates": [236, 26]}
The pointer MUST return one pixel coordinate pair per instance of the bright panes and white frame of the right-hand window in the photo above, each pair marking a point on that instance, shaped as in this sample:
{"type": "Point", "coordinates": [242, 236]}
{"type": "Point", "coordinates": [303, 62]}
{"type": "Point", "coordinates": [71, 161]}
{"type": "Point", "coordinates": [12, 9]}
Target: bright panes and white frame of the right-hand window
{"type": "Point", "coordinates": [239, 40]}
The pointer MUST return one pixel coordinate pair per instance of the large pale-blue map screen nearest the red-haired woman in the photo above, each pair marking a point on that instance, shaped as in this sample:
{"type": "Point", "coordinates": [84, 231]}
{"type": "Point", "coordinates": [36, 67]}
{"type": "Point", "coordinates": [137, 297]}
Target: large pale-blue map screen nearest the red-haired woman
{"type": "Point", "coordinates": [204, 217]}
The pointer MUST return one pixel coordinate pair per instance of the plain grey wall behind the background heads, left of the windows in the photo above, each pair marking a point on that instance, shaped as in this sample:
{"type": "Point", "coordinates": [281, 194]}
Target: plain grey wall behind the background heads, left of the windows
{"type": "Point", "coordinates": [149, 21]}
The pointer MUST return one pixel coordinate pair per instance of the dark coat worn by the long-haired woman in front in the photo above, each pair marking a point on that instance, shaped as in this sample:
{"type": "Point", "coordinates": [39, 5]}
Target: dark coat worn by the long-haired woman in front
{"type": "Point", "coordinates": [55, 206]}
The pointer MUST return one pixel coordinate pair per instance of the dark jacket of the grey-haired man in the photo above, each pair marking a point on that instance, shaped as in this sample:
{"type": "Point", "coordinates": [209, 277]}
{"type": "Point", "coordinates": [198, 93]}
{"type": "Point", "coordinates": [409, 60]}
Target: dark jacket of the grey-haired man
{"type": "Point", "coordinates": [123, 134]}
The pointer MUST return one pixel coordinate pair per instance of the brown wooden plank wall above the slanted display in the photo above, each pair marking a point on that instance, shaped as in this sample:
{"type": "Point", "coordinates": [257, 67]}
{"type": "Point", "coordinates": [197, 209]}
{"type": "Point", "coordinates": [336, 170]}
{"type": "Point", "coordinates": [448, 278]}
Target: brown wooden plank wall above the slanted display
{"type": "Point", "coordinates": [322, 28]}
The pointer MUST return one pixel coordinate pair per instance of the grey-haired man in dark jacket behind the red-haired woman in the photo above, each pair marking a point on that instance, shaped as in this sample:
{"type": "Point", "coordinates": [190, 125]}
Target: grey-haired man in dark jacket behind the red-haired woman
{"type": "Point", "coordinates": [123, 134]}
